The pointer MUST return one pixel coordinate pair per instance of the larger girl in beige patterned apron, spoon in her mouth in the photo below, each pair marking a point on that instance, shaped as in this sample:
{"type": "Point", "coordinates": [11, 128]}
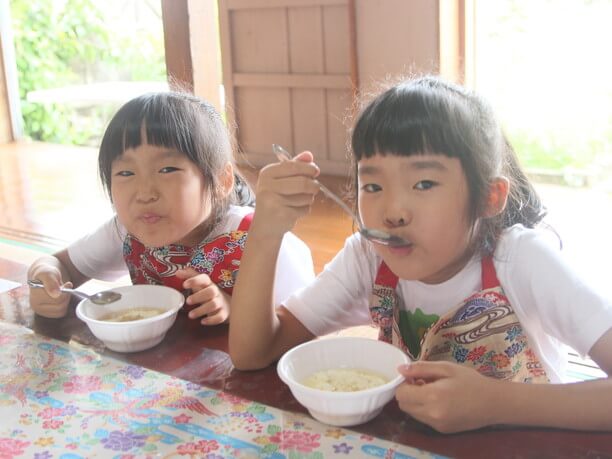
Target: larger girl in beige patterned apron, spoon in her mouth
{"type": "Point", "coordinates": [480, 298]}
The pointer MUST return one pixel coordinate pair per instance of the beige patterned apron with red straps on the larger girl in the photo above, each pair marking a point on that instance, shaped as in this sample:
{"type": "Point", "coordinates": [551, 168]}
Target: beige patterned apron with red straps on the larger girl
{"type": "Point", "coordinates": [483, 332]}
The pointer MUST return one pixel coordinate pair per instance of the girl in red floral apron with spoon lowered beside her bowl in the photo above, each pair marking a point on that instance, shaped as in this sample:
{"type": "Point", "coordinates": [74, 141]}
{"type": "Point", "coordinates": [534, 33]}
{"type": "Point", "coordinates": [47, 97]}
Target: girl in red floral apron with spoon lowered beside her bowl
{"type": "Point", "coordinates": [183, 213]}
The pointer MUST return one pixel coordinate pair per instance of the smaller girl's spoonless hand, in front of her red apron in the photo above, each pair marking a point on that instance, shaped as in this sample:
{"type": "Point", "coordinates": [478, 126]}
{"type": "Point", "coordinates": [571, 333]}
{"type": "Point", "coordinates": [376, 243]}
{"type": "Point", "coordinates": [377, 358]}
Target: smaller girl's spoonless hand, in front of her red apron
{"type": "Point", "coordinates": [213, 304]}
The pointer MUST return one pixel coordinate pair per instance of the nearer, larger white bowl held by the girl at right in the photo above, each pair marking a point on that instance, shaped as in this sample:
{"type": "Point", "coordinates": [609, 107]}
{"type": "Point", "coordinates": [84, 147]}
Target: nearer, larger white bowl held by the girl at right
{"type": "Point", "coordinates": [342, 408]}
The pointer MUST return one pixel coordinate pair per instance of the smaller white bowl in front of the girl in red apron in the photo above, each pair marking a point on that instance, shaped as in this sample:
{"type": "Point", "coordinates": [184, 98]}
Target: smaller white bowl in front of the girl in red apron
{"type": "Point", "coordinates": [139, 334]}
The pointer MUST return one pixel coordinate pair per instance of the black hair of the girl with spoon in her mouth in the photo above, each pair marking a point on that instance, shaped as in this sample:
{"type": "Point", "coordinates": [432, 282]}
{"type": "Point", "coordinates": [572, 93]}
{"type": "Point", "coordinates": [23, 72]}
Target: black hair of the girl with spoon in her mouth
{"type": "Point", "coordinates": [430, 115]}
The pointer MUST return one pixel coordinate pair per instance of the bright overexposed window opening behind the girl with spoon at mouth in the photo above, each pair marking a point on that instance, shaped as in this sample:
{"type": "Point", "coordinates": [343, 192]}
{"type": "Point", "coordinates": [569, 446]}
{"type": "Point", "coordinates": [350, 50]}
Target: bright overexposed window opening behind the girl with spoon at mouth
{"type": "Point", "coordinates": [544, 67]}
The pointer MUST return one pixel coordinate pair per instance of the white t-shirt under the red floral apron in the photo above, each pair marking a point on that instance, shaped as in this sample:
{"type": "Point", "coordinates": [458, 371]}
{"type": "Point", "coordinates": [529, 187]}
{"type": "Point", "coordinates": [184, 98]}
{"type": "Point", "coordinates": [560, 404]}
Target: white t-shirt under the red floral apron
{"type": "Point", "coordinates": [99, 255]}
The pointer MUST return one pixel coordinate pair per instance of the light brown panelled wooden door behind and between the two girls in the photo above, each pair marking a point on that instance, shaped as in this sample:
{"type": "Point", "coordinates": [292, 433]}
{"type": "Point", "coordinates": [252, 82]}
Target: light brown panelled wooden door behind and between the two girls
{"type": "Point", "coordinates": [290, 75]}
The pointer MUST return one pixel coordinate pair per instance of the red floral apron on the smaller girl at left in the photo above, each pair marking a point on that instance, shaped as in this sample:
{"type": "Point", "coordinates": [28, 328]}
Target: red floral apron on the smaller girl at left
{"type": "Point", "coordinates": [219, 258]}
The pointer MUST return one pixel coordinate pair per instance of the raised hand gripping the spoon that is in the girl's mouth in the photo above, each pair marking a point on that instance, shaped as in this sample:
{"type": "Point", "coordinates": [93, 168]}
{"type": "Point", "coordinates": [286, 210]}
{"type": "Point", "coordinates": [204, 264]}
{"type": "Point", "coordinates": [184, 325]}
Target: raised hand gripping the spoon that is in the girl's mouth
{"type": "Point", "coordinates": [285, 191]}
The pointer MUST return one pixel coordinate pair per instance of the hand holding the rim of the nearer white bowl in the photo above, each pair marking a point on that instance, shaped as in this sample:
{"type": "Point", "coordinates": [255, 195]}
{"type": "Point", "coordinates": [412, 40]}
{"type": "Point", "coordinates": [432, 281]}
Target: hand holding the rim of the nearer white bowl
{"type": "Point", "coordinates": [447, 396]}
